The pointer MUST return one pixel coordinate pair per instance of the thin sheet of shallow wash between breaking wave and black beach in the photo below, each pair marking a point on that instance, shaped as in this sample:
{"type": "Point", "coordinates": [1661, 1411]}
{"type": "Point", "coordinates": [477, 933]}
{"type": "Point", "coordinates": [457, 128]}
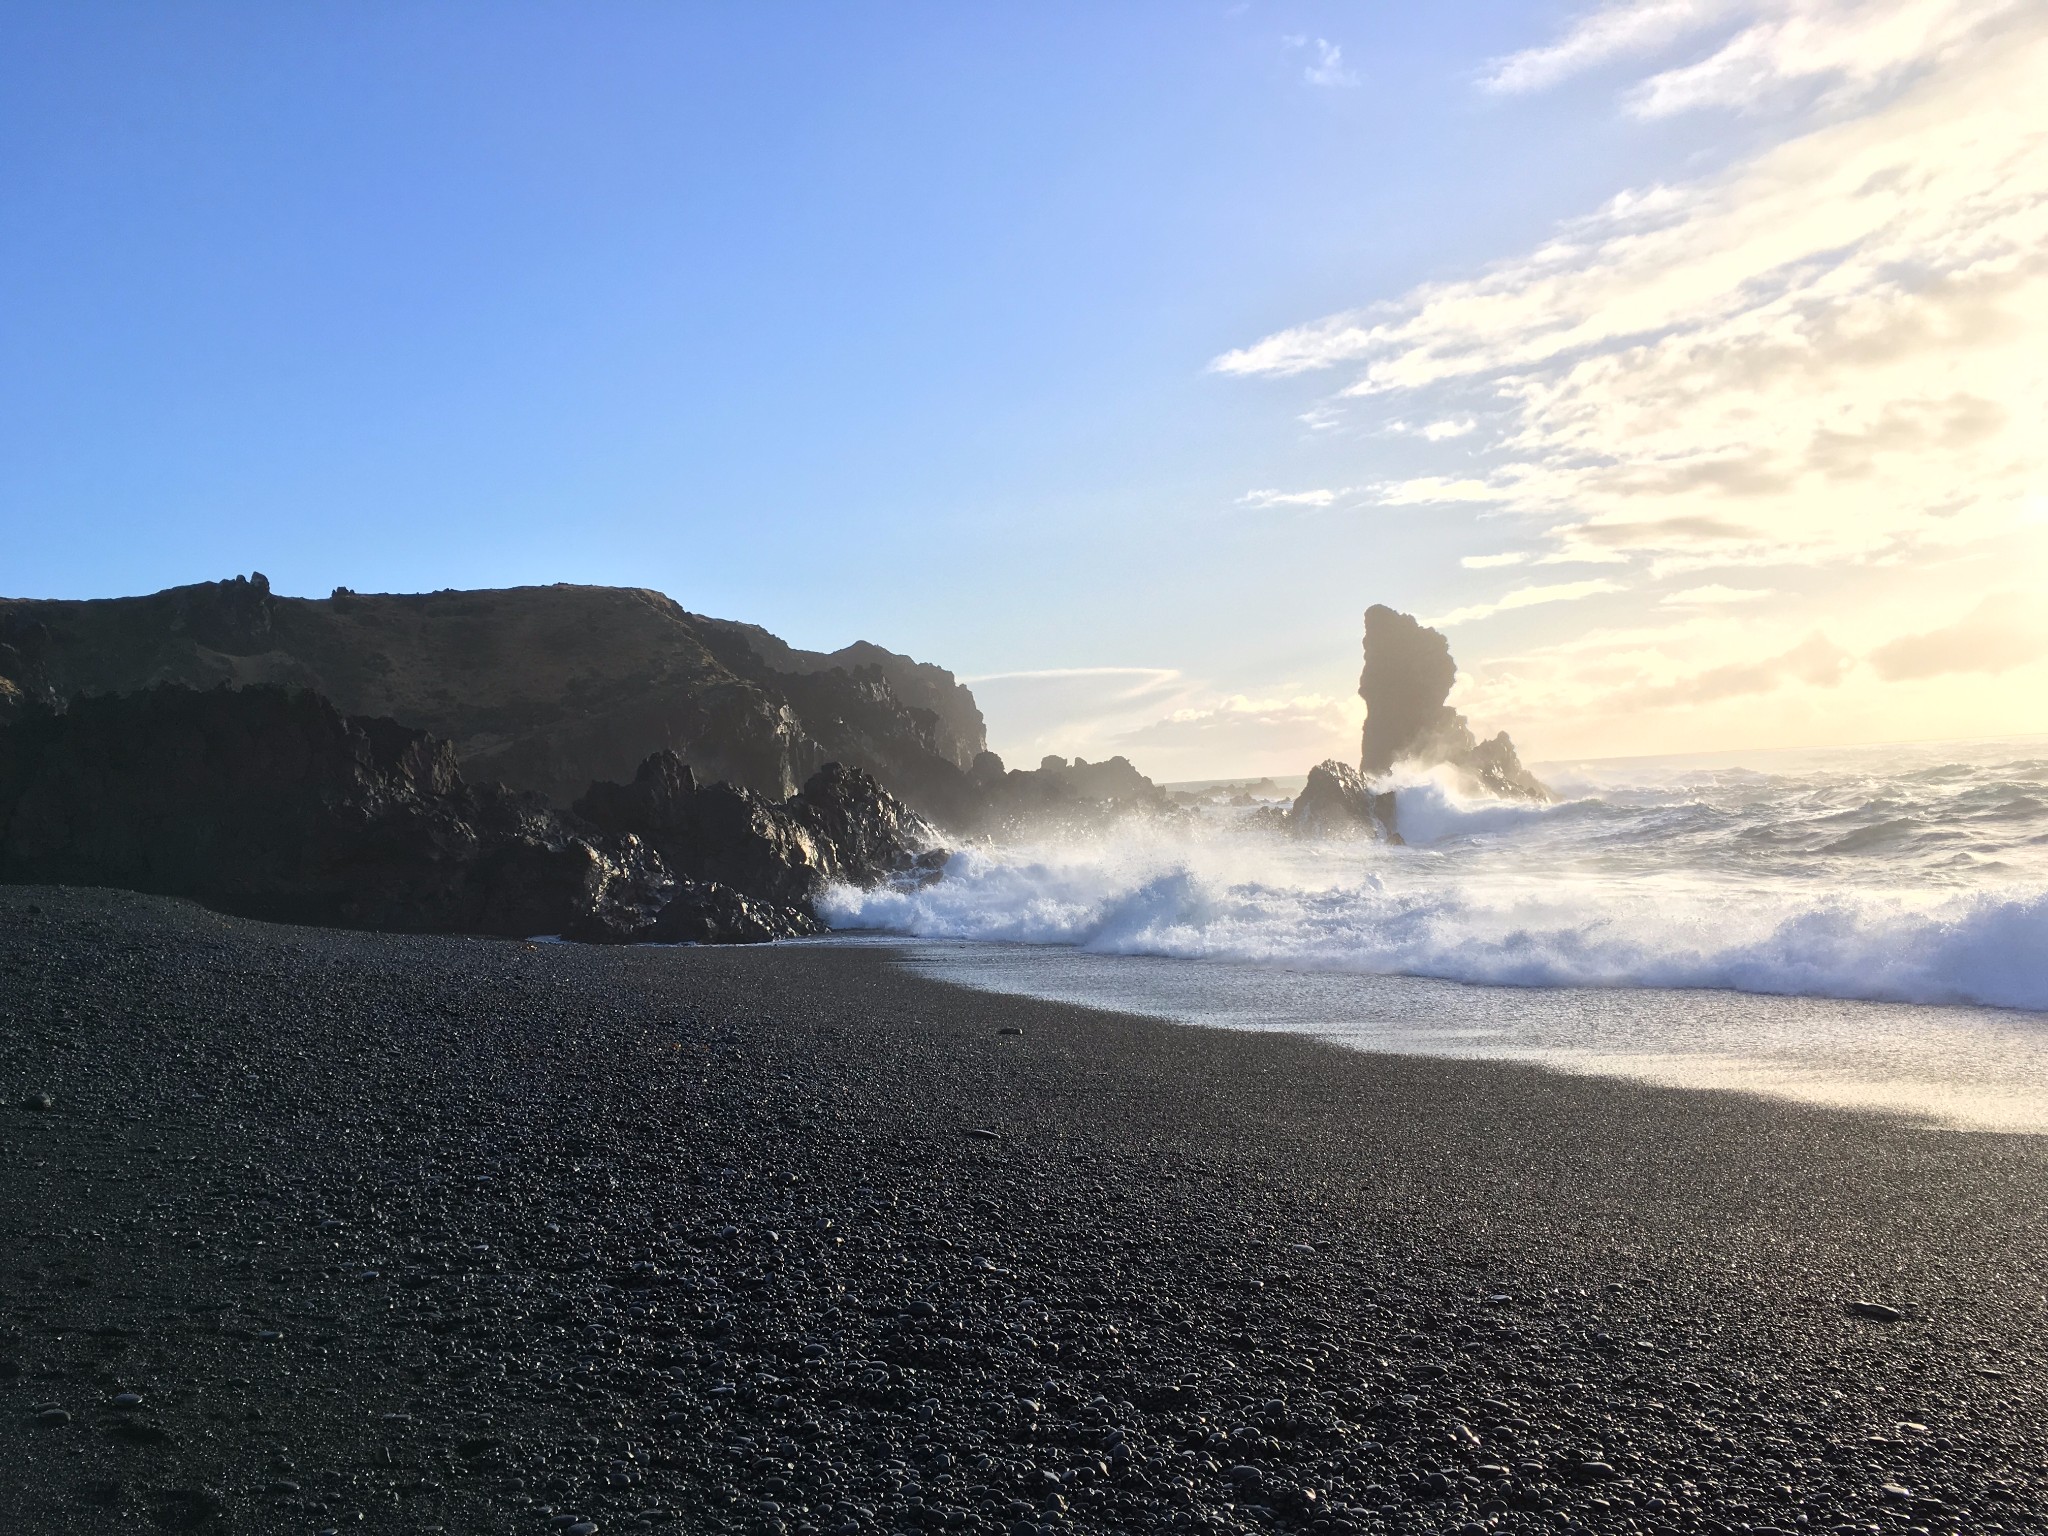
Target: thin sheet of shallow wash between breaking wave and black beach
{"type": "Point", "coordinates": [1945, 1066]}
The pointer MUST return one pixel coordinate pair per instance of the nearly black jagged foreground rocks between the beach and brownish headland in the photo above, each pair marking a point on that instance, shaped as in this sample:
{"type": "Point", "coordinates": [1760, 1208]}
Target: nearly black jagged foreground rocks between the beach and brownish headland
{"type": "Point", "coordinates": [271, 804]}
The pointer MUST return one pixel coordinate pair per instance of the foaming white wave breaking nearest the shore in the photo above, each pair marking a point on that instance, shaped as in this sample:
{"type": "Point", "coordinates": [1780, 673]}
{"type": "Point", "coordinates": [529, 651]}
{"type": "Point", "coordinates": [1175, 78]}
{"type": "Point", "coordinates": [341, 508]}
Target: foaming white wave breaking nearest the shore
{"type": "Point", "coordinates": [1236, 900]}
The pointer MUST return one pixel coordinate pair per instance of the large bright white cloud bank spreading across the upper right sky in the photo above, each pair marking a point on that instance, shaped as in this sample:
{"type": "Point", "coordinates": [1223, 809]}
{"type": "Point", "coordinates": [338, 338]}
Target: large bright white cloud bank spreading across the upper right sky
{"type": "Point", "coordinates": [1828, 353]}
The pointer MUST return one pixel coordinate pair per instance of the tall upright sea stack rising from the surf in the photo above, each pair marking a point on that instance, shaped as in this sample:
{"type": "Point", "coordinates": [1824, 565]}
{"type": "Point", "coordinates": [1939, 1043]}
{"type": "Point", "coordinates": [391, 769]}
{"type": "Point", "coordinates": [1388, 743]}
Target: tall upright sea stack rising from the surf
{"type": "Point", "coordinates": [1406, 681]}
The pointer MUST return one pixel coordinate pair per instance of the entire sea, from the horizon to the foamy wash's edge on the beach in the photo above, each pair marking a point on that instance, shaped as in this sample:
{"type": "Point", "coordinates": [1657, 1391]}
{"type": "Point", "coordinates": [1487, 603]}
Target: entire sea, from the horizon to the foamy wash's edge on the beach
{"type": "Point", "coordinates": [1883, 910]}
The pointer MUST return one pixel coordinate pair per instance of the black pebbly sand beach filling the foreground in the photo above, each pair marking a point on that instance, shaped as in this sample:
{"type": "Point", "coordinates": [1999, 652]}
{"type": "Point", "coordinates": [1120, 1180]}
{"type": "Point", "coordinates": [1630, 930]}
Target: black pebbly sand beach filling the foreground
{"type": "Point", "coordinates": [341, 1232]}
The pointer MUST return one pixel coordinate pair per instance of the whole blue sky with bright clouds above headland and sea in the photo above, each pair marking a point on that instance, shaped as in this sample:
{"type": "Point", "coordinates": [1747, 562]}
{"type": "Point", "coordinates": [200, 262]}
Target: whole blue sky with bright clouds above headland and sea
{"type": "Point", "coordinates": [1680, 359]}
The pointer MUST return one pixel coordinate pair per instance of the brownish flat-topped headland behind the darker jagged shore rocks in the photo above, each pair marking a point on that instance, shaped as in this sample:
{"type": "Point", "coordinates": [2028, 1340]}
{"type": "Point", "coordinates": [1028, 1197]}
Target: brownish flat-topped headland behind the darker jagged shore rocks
{"type": "Point", "coordinates": [544, 689]}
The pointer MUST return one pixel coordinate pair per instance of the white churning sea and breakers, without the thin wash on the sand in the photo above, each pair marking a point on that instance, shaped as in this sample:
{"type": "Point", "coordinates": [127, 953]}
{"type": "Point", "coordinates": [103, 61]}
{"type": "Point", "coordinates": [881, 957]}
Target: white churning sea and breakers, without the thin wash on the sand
{"type": "Point", "coordinates": [1844, 878]}
